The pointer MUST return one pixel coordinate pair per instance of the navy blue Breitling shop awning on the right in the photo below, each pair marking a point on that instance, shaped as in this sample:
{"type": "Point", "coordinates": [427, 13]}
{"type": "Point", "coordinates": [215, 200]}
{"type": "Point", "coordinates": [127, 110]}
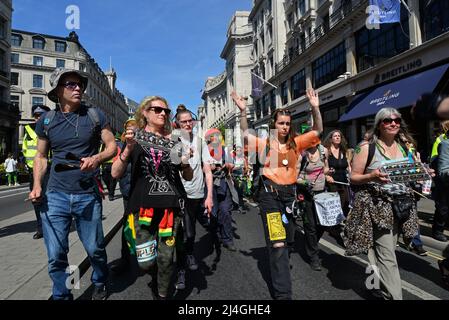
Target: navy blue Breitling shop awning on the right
{"type": "Point", "coordinates": [398, 94]}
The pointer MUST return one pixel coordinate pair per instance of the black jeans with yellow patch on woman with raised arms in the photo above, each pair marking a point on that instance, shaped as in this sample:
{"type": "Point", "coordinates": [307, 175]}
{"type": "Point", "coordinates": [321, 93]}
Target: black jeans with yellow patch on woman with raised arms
{"type": "Point", "coordinates": [270, 202]}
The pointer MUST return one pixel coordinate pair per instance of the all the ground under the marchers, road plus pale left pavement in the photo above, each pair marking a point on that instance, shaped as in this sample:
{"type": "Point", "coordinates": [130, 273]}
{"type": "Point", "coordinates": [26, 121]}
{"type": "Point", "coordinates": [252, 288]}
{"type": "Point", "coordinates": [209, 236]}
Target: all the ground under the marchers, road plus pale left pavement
{"type": "Point", "coordinates": [241, 275]}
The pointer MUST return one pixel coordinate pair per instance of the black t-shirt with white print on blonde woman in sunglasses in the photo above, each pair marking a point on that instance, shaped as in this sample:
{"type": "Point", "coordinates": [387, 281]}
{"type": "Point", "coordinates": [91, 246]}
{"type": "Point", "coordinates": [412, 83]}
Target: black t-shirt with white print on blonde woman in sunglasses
{"type": "Point", "coordinates": [155, 179]}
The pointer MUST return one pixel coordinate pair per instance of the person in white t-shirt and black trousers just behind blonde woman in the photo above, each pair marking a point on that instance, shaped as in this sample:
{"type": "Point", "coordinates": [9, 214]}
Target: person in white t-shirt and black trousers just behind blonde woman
{"type": "Point", "coordinates": [195, 189]}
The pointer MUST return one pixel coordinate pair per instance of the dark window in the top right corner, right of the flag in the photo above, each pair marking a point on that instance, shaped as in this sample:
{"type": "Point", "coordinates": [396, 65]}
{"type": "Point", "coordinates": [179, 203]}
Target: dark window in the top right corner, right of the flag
{"type": "Point", "coordinates": [435, 18]}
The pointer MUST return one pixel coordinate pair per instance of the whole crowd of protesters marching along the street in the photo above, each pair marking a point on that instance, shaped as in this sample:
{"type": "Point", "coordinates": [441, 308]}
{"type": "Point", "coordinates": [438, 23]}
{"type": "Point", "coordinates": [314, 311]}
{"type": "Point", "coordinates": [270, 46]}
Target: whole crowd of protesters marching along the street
{"type": "Point", "coordinates": [170, 177]}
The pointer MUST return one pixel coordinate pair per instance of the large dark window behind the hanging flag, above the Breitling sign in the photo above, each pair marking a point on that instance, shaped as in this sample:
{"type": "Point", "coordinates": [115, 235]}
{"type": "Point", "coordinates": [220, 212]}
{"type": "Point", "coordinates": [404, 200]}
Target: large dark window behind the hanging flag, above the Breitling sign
{"type": "Point", "coordinates": [377, 45]}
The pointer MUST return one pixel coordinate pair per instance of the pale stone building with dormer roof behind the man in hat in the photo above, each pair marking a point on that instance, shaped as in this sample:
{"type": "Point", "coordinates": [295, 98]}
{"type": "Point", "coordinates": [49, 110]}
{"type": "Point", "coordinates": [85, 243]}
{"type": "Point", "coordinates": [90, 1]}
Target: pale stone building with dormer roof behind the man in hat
{"type": "Point", "coordinates": [33, 59]}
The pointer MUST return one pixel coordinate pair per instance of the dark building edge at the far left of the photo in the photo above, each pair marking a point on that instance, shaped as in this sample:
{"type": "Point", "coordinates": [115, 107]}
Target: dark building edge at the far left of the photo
{"type": "Point", "coordinates": [9, 113]}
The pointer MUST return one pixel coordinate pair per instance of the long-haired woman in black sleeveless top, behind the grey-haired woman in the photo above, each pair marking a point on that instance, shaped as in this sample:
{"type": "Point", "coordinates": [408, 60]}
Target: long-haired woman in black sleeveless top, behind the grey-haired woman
{"type": "Point", "coordinates": [339, 167]}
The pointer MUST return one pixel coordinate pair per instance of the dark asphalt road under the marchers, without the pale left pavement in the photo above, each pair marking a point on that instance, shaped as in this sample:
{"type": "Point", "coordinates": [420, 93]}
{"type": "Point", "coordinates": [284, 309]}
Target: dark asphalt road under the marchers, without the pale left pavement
{"type": "Point", "coordinates": [244, 275]}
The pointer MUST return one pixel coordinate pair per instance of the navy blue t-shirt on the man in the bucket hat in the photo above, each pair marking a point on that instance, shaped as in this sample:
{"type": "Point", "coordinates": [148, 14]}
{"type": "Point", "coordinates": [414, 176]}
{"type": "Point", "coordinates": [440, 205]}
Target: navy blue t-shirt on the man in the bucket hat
{"type": "Point", "coordinates": [62, 137]}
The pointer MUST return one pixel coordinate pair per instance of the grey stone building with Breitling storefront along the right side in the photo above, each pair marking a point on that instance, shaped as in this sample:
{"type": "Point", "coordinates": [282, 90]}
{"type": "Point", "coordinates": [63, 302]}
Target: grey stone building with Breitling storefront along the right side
{"type": "Point", "coordinates": [328, 46]}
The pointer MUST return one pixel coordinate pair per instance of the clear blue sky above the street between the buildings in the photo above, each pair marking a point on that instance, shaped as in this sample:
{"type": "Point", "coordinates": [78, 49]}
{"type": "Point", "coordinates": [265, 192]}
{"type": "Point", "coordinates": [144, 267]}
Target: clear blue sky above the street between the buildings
{"type": "Point", "coordinates": [158, 47]}
